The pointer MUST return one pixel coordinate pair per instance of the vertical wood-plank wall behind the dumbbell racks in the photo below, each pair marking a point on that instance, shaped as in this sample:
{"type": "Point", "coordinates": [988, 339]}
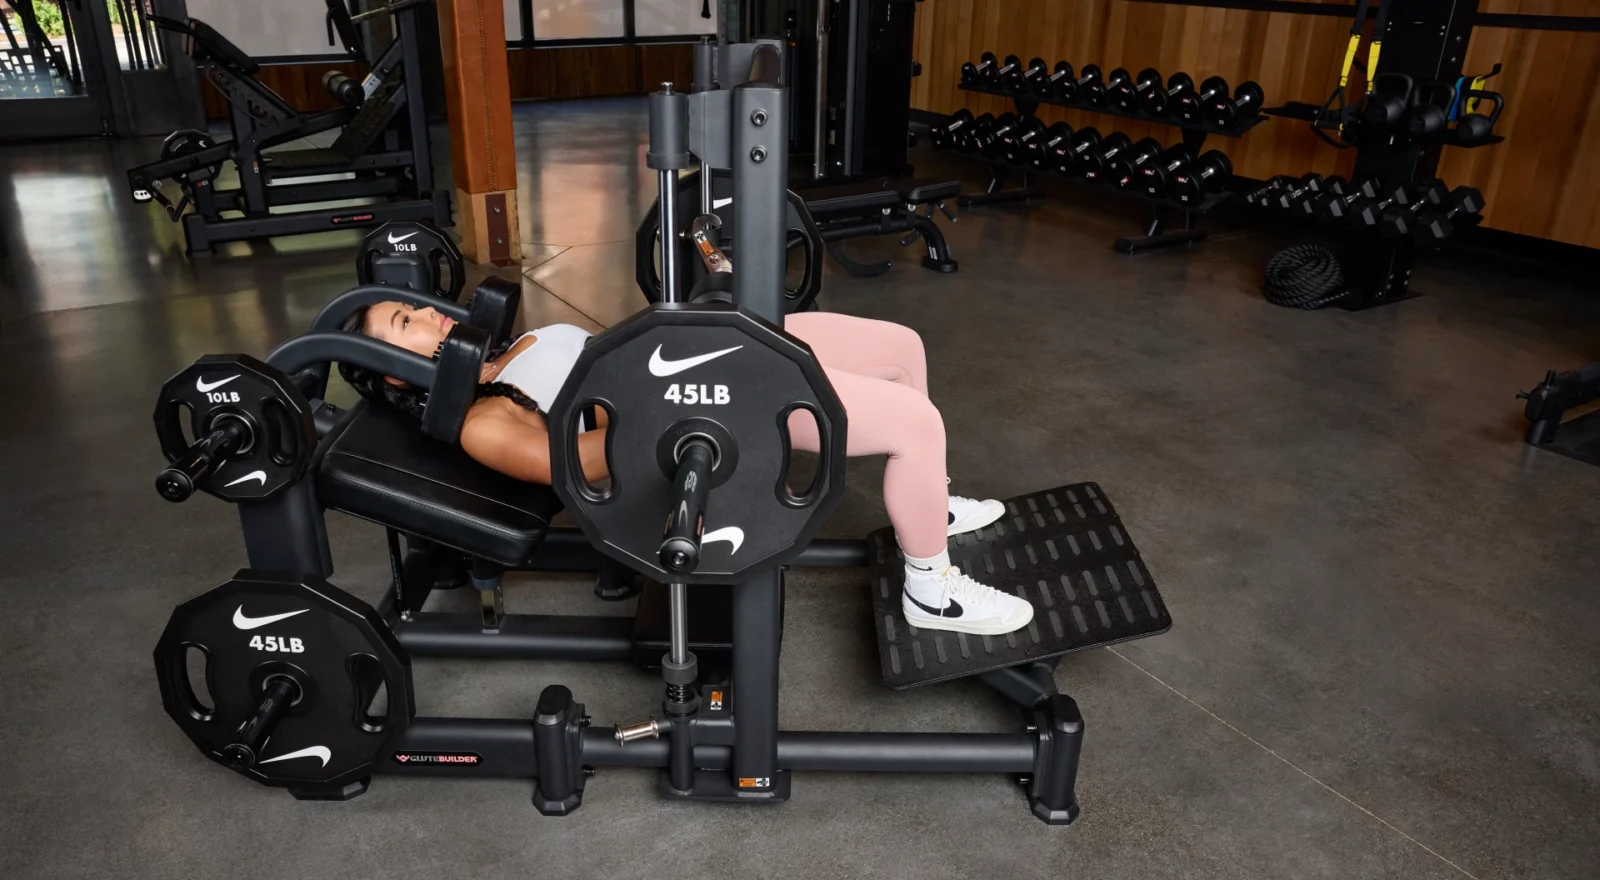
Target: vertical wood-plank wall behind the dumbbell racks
{"type": "Point", "coordinates": [1542, 182]}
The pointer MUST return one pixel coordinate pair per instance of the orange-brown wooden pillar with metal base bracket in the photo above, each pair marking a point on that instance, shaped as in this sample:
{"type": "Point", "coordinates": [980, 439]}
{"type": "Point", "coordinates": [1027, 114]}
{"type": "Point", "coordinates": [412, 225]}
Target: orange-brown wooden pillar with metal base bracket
{"type": "Point", "coordinates": [482, 148]}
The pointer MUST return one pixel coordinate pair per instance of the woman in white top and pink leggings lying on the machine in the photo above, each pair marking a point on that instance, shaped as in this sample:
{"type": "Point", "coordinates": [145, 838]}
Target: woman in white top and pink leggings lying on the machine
{"type": "Point", "coordinates": [879, 374]}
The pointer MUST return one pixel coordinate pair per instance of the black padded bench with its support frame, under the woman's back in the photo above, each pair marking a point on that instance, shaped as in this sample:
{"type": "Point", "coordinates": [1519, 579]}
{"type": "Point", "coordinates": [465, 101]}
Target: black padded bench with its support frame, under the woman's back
{"type": "Point", "coordinates": [377, 465]}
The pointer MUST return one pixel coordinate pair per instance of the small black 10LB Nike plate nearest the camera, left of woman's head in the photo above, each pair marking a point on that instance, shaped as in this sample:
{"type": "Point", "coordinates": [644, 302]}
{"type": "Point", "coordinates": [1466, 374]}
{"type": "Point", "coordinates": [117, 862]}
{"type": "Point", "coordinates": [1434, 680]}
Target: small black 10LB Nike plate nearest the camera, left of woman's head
{"type": "Point", "coordinates": [282, 431]}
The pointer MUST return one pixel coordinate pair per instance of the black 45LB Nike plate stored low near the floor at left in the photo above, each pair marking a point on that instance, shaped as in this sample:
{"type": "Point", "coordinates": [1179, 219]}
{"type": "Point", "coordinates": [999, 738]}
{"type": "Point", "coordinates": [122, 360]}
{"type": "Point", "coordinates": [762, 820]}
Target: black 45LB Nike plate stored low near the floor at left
{"type": "Point", "coordinates": [262, 625]}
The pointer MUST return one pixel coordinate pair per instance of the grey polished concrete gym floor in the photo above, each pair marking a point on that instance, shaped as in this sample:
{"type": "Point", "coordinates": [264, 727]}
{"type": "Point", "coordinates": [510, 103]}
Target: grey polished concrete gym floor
{"type": "Point", "coordinates": [1383, 662]}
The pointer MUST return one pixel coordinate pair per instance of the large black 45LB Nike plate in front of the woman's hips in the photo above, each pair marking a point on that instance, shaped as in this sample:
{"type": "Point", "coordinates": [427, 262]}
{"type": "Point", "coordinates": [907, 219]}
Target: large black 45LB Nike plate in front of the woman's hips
{"type": "Point", "coordinates": [678, 362]}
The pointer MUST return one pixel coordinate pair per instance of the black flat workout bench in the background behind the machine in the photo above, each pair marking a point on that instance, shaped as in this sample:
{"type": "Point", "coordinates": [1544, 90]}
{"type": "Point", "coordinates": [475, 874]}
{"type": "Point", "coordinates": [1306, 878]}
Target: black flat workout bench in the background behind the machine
{"type": "Point", "coordinates": [881, 207]}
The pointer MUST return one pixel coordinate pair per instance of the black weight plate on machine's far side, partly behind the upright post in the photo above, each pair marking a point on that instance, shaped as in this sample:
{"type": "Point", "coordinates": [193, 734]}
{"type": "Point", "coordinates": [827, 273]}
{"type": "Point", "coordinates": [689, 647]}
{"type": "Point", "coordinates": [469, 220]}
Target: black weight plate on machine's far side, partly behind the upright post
{"type": "Point", "coordinates": [802, 233]}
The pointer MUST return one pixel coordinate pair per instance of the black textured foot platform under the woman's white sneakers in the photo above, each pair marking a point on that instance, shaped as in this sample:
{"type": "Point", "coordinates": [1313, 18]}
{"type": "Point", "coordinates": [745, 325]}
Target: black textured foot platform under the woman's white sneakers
{"type": "Point", "coordinates": [1063, 550]}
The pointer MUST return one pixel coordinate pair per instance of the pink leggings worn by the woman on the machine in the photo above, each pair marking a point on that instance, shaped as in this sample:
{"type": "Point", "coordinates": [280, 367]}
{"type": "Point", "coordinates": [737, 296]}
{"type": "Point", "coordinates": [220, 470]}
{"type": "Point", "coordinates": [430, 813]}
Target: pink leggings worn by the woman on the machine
{"type": "Point", "coordinates": [881, 375]}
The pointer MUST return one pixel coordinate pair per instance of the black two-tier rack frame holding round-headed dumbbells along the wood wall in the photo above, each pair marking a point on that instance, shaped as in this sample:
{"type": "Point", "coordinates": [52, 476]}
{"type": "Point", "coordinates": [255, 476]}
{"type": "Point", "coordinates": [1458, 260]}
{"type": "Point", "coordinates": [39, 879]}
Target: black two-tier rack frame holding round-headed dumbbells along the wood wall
{"type": "Point", "coordinates": [1156, 236]}
